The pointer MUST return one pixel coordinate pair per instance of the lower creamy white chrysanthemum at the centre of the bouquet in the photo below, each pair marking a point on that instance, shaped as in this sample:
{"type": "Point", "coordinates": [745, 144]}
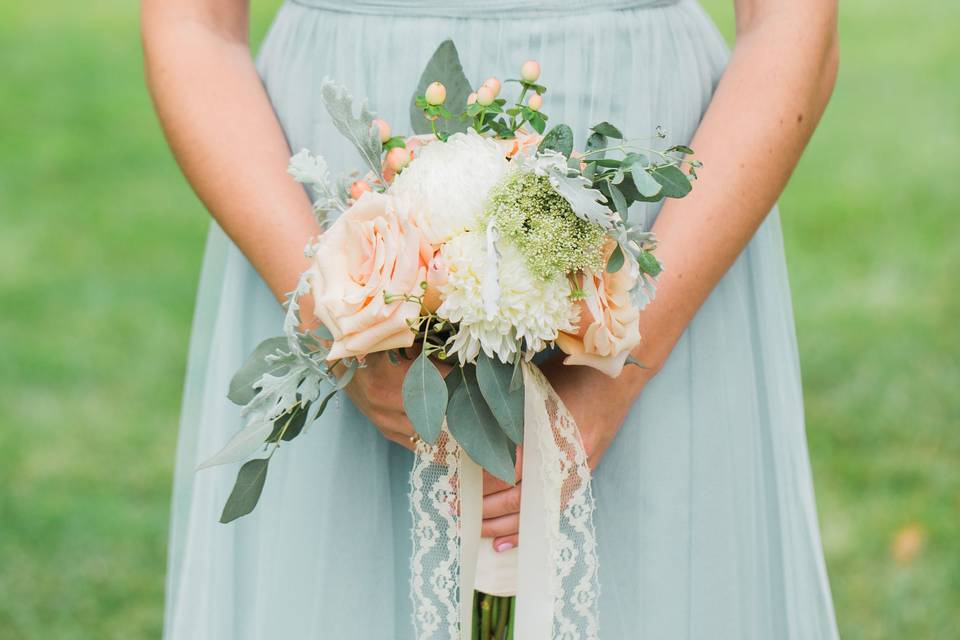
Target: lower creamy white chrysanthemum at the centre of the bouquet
{"type": "Point", "coordinates": [528, 309]}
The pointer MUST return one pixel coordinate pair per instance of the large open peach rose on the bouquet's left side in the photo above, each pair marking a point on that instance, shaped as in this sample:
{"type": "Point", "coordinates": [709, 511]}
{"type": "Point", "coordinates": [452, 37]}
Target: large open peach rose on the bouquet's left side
{"type": "Point", "coordinates": [370, 250]}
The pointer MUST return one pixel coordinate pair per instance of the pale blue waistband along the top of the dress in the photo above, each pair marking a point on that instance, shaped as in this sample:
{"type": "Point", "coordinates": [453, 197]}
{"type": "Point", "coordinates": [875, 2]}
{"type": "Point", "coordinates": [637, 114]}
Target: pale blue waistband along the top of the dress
{"type": "Point", "coordinates": [492, 9]}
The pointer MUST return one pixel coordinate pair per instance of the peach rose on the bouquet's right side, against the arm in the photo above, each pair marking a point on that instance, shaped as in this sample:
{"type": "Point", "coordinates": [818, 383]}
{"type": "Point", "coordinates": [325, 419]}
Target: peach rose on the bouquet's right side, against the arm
{"type": "Point", "coordinates": [609, 323]}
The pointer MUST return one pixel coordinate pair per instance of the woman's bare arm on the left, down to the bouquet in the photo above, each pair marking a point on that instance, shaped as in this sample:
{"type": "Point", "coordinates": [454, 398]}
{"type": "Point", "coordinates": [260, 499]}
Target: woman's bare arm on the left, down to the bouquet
{"type": "Point", "coordinates": [225, 135]}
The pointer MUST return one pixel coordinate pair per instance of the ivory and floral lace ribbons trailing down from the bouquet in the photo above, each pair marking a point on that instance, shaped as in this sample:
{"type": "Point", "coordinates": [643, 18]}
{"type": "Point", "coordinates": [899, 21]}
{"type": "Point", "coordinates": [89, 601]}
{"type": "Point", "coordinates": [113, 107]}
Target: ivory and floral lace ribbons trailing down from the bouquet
{"type": "Point", "coordinates": [557, 585]}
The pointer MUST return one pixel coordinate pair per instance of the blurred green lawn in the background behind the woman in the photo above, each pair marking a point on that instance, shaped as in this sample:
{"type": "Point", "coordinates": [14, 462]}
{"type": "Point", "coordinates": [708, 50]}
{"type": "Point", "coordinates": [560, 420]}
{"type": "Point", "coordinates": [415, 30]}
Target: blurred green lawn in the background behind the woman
{"type": "Point", "coordinates": [100, 248]}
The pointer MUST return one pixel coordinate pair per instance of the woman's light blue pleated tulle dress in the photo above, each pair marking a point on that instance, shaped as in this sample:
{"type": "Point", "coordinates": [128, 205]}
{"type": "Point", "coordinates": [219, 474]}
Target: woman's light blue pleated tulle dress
{"type": "Point", "coordinates": [706, 520]}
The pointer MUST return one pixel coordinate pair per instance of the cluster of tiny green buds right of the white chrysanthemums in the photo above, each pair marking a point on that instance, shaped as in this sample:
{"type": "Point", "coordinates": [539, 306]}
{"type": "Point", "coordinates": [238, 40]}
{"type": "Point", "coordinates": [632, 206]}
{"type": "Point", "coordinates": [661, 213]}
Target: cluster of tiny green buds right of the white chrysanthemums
{"type": "Point", "coordinates": [541, 223]}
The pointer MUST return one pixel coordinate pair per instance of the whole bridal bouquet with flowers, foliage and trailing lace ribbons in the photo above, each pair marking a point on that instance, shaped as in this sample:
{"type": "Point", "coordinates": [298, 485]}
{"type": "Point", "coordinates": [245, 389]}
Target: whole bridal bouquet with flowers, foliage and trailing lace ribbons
{"type": "Point", "coordinates": [480, 241]}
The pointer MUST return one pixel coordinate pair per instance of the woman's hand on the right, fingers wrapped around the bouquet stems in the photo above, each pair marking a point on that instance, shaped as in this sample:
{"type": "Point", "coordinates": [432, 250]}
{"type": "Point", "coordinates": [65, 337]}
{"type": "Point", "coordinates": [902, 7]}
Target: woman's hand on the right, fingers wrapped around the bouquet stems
{"type": "Point", "coordinates": [599, 404]}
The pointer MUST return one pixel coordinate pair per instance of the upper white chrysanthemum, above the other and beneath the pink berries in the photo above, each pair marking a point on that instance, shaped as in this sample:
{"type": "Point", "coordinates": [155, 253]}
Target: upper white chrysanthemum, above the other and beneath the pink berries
{"type": "Point", "coordinates": [448, 183]}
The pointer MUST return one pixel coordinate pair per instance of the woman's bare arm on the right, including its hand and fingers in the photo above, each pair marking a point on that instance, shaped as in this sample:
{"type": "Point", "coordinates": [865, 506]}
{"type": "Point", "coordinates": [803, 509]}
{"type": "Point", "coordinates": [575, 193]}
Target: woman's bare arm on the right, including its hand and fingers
{"type": "Point", "coordinates": [764, 111]}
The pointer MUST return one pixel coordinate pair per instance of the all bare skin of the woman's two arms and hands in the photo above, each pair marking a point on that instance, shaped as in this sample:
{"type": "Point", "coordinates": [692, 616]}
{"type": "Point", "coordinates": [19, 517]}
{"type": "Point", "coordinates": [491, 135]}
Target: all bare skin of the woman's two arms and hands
{"type": "Point", "coordinates": [216, 114]}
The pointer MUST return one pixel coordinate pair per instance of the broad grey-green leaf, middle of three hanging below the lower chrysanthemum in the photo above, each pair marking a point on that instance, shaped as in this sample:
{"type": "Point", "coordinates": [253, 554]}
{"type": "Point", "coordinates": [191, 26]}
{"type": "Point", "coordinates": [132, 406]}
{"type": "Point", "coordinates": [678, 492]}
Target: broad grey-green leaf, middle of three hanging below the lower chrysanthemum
{"type": "Point", "coordinates": [476, 428]}
